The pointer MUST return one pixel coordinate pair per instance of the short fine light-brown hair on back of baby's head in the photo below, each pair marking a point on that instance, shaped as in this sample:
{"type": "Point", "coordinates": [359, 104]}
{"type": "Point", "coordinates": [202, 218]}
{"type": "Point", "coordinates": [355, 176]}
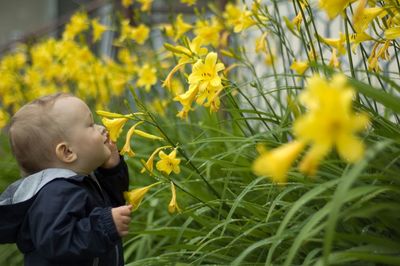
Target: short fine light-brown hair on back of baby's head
{"type": "Point", "coordinates": [34, 134]}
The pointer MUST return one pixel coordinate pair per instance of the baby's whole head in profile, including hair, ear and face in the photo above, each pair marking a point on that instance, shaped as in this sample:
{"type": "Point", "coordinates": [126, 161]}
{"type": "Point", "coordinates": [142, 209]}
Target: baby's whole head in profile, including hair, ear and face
{"type": "Point", "coordinates": [57, 131]}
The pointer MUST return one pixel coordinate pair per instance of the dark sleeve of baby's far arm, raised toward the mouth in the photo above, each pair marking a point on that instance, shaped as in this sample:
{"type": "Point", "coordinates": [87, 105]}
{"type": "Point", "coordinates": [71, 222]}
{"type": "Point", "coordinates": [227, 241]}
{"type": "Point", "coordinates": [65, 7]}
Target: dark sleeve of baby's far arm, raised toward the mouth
{"type": "Point", "coordinates": [114, 181]}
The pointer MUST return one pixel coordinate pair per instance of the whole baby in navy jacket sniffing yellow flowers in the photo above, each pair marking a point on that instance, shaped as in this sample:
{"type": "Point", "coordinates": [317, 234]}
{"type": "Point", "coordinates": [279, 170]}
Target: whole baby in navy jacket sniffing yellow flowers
{"type": "Point", "coordinates": [69, 209]}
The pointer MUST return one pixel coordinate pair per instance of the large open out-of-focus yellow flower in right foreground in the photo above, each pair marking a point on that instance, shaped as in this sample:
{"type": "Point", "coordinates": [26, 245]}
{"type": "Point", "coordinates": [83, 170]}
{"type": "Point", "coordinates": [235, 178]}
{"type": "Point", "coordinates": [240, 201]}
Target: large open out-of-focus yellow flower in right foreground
{"type": "Point", "coordinates": [329, 122]}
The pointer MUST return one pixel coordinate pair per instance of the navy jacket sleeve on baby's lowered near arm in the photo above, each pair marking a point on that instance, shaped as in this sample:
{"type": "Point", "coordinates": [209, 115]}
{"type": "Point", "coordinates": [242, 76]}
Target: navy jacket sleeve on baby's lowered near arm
{"type": "Point", "coordinates": [61, 226]}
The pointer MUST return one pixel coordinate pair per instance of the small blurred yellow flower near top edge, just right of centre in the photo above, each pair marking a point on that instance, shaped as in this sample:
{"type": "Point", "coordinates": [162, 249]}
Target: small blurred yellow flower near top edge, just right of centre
{"type": "Point", "coordinates": [236, 18]}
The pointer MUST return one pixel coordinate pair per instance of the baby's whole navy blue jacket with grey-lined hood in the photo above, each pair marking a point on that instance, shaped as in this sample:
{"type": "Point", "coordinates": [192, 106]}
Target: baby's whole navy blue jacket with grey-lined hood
{"type": "Point", "coordinates": [57, 217]}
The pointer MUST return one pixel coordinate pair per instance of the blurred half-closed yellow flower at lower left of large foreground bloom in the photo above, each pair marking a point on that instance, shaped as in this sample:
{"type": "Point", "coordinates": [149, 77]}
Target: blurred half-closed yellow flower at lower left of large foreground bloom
{"type": "Point", "coordinates": [277, 162]}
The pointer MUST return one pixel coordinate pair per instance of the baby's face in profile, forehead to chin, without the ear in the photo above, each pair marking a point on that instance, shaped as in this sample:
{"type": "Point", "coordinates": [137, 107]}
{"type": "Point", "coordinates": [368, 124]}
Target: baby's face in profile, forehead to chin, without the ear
{"type": "Point", "coordinates": [85, 138]}
